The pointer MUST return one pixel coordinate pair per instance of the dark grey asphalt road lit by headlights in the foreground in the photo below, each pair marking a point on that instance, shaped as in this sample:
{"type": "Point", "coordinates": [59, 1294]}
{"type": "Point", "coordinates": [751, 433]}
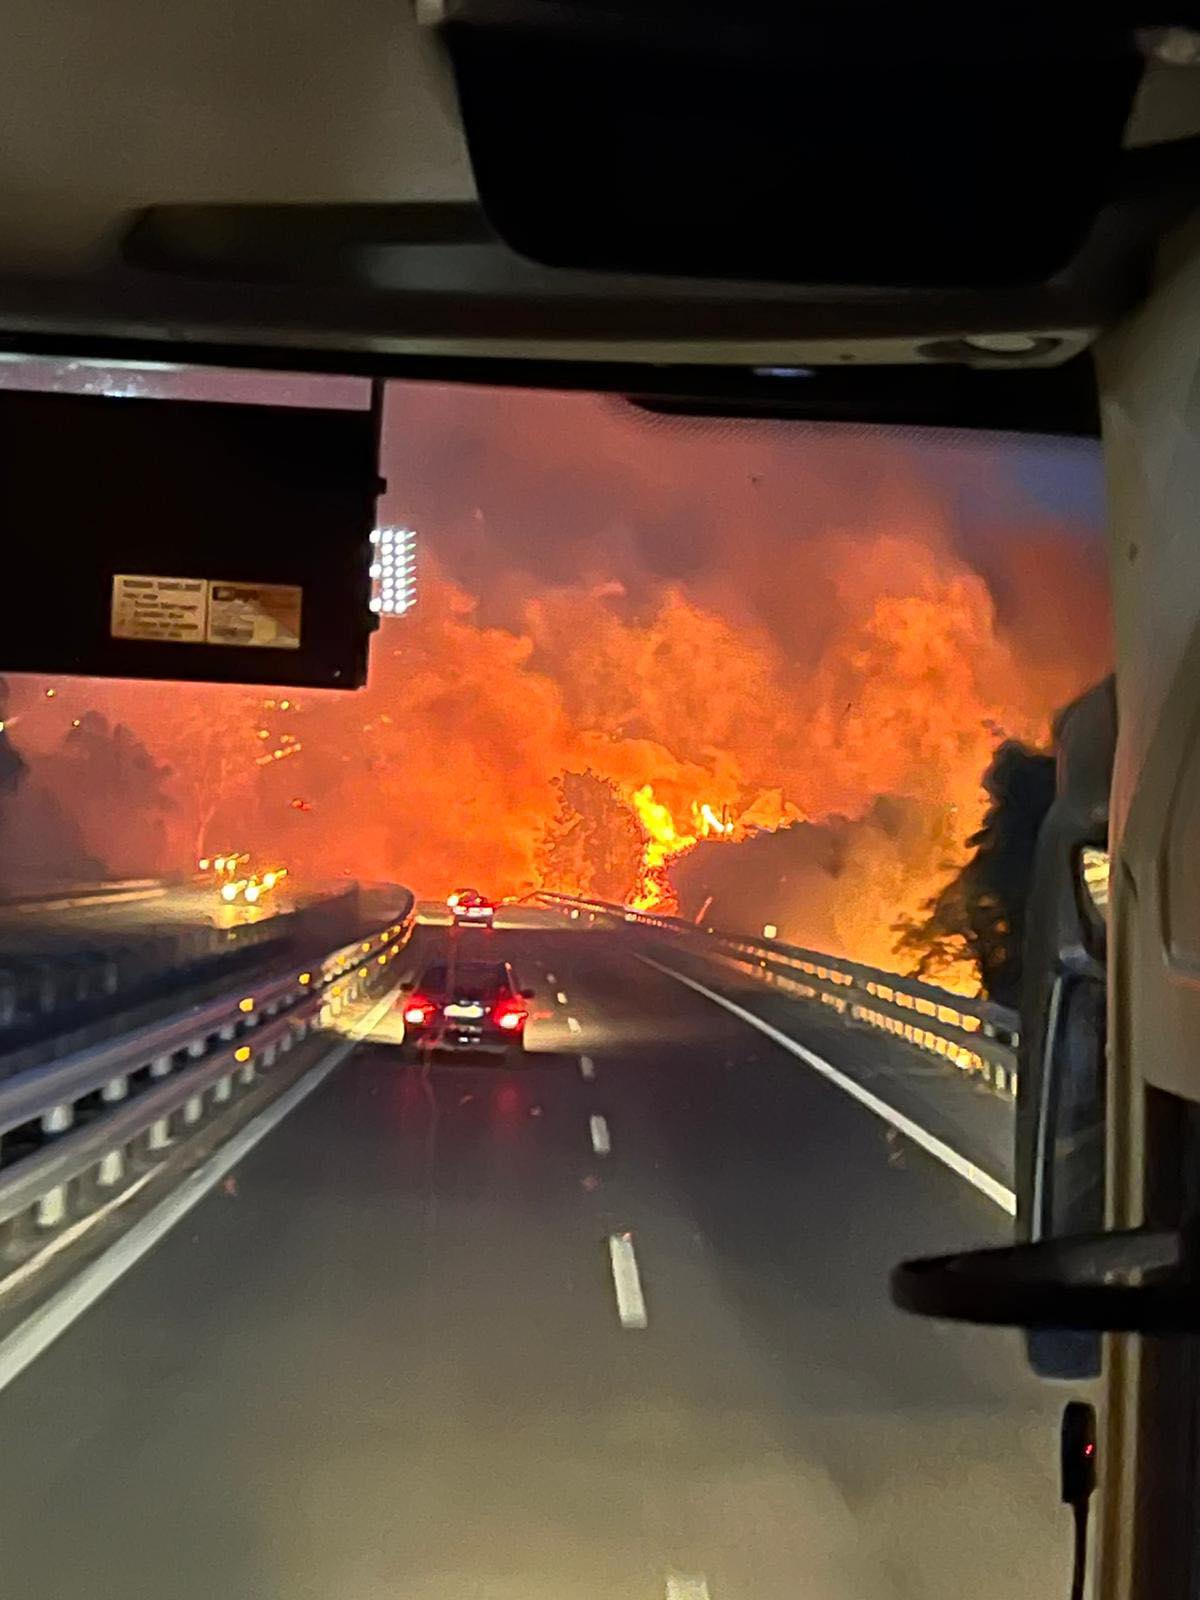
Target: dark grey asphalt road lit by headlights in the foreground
{"type": "Point", "coordinates": [386, 1359]}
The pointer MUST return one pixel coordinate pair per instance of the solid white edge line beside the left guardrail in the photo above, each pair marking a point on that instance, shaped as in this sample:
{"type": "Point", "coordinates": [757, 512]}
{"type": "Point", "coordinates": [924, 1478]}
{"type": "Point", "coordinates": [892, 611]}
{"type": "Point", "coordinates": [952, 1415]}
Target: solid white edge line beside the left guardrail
{"type": "Point", "coordinates": [49, 1322]}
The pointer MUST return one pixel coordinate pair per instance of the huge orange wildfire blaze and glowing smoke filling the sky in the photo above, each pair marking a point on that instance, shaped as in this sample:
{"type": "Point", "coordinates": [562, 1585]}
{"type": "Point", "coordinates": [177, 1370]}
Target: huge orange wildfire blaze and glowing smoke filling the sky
{"type": "Point", "coordinates": [823, 654]}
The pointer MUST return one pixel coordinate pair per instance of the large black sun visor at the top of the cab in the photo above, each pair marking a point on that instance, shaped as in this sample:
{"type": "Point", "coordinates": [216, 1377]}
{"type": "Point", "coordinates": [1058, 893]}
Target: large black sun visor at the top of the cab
{"type": "Point", "coordinates": [799, 145]}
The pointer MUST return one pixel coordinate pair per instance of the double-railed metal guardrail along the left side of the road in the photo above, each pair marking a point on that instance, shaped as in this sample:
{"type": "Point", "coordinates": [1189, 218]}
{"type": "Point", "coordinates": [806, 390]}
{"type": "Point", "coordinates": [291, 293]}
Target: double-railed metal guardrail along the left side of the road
{"type": "Point", "coordinates": [92, 1114]}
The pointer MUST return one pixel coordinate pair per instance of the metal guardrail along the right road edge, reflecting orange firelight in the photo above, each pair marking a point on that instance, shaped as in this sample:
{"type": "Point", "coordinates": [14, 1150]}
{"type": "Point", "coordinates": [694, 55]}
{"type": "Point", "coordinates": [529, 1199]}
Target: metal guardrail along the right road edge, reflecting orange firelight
{"type": "Point", "coordinates": [974, 1036]}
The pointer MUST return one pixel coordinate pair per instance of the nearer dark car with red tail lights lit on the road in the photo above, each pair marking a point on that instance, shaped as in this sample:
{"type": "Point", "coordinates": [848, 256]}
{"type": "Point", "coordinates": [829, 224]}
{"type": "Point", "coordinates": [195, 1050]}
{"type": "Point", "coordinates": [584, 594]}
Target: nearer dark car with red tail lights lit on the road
{"type": "Point", "coordinates": [465, 1007]}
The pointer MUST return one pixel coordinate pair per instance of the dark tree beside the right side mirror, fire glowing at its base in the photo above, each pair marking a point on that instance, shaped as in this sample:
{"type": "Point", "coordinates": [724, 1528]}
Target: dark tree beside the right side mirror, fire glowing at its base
{"type": "Point", "coordinates": [982, 911]}
